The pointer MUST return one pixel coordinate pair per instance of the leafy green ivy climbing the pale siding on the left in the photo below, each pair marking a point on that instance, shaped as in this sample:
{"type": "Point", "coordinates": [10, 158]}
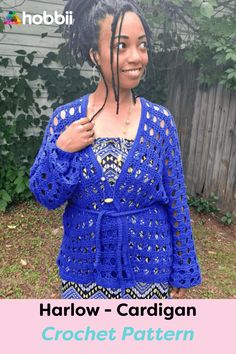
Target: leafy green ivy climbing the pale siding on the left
{"type": "Point", "coordinates": [20, 111]}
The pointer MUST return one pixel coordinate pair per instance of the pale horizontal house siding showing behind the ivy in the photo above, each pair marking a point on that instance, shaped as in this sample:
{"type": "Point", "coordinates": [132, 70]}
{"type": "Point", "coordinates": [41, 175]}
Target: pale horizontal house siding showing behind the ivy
{"type": "Point", "coordinates": [28, 37]}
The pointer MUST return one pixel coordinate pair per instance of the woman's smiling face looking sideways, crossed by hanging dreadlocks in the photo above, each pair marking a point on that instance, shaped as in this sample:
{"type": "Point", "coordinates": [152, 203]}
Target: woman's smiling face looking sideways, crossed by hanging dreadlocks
{"type": "Point", "coordinates": [133, 56]}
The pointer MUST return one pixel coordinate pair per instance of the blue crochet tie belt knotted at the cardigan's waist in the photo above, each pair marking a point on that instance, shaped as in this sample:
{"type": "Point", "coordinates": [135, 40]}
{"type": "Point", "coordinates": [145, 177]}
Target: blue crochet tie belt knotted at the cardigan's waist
{"type": "Point", "coordinates": [121, 236]}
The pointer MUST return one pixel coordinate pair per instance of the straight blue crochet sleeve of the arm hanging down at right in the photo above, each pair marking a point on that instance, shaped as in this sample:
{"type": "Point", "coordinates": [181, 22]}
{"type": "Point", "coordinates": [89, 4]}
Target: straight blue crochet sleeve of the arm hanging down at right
{"type": "Point", "coordinates": [185, 271]}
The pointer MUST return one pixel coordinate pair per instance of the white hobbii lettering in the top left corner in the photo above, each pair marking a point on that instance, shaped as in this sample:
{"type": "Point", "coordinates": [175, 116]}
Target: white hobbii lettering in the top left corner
{"type": "Point", "coordinates": [47, 19]}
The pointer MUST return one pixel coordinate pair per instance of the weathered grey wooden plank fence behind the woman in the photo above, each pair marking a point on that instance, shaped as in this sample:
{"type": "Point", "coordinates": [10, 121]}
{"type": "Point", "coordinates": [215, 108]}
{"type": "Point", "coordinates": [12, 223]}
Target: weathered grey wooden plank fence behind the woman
{"type": "Point", "coordinates": [206, 121]}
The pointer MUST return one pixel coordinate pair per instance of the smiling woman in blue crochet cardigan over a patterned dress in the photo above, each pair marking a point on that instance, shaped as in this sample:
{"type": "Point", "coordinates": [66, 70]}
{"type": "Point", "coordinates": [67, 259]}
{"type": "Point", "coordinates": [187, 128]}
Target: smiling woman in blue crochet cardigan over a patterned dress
{"type": "Point", "coordinates": [115, 159]}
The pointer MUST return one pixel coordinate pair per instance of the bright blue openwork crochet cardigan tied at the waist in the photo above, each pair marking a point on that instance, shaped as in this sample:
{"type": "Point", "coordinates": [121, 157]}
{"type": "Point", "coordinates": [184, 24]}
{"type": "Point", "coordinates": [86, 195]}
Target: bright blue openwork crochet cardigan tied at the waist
{"type": "Point", "coordinates": [141, 230]}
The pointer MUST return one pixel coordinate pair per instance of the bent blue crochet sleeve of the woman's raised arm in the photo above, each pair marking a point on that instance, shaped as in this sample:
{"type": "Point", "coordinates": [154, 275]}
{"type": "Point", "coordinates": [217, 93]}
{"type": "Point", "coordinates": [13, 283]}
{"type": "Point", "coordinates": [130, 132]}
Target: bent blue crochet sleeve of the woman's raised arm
{"type": "Point", "coordinates": [55, 173]}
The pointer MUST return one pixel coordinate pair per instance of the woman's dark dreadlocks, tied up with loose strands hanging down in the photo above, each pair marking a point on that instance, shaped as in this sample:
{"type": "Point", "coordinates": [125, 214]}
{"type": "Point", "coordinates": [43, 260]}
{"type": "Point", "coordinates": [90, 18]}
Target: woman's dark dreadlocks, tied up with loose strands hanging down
{"type": "Point", "coordinates": [83, 34]}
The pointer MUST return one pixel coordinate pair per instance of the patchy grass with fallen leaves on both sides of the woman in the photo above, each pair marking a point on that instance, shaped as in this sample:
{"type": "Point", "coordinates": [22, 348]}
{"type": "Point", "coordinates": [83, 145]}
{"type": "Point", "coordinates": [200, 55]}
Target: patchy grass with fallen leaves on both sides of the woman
{"type": "Point", "coordinates": [30, 238]}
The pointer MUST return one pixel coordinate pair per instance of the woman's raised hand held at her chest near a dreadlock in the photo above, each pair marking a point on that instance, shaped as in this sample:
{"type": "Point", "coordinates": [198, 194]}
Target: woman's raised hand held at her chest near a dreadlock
{"type": "Point", "coordinates": [77, 136]}
